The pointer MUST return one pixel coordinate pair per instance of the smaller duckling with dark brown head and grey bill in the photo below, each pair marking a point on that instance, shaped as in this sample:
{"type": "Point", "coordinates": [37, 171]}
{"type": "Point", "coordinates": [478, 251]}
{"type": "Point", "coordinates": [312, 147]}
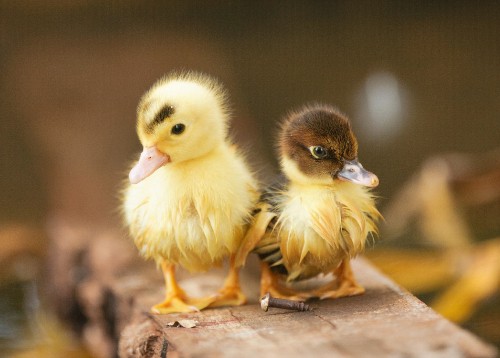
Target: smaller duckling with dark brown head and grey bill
{"type": "Point", "coordinates": [319, 213]}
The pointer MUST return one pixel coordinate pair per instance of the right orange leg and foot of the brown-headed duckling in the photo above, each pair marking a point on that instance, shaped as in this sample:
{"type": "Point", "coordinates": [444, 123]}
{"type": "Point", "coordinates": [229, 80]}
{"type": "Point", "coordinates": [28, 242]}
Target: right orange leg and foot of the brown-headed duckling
{"type": "Point", "coordinates": [344, 285]}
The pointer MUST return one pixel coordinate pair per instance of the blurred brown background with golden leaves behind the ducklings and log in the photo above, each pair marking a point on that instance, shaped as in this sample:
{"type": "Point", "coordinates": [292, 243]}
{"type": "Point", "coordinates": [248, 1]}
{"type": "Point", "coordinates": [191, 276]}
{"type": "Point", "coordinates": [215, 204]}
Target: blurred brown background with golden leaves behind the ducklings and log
{"type": "Point", "coordinates": [419, 80]}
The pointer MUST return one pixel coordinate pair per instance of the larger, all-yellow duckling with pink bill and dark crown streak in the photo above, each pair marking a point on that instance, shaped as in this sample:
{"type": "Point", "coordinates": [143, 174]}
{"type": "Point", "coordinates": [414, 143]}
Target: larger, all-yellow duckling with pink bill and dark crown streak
{"type": "Point", "coordinates": [191, 194]}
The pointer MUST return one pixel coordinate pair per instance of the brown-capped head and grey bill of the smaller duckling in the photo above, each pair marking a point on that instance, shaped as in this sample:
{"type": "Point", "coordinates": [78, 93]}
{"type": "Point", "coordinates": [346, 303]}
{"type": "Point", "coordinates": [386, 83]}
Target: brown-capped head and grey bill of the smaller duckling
{"type": "Point", "coordinates": [317, 145]}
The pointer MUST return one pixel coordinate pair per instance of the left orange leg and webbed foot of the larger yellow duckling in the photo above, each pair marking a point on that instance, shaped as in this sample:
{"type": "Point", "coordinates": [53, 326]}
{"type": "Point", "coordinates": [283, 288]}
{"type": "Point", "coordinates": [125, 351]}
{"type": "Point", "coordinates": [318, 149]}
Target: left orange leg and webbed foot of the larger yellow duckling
{"type": "Point", "coordinates": [176, 299]}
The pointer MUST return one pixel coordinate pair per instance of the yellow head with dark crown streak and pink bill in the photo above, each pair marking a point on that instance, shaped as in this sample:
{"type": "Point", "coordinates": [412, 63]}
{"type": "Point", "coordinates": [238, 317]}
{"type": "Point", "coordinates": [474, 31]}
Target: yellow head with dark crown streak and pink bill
{"type": "Point", "coordinates": [183, 116]}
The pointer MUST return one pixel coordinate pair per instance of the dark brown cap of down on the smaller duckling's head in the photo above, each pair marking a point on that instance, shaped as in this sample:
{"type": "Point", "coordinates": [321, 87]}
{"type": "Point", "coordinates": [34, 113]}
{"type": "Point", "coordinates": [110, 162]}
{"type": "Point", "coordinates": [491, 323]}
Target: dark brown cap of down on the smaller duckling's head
{"type": "Point", "coordinates": [318, 125]}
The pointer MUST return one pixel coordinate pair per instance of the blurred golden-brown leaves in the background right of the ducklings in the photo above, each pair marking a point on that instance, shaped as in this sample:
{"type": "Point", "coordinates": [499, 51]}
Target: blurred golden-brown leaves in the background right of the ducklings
{"type": "Point", "coordinates": [458, 253]}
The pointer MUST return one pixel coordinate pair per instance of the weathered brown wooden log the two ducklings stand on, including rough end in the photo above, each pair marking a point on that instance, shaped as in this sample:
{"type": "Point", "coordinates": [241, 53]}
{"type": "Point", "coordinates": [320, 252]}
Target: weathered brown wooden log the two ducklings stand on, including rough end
{"type": "Point", "coordinates": [110, 291]}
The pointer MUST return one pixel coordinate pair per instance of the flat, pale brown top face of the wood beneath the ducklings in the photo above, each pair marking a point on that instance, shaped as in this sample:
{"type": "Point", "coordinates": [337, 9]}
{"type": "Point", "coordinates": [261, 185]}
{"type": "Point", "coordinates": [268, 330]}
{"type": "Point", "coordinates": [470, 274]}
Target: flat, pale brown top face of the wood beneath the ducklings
{"type": "Point", "coordinates": [386, 321]}
